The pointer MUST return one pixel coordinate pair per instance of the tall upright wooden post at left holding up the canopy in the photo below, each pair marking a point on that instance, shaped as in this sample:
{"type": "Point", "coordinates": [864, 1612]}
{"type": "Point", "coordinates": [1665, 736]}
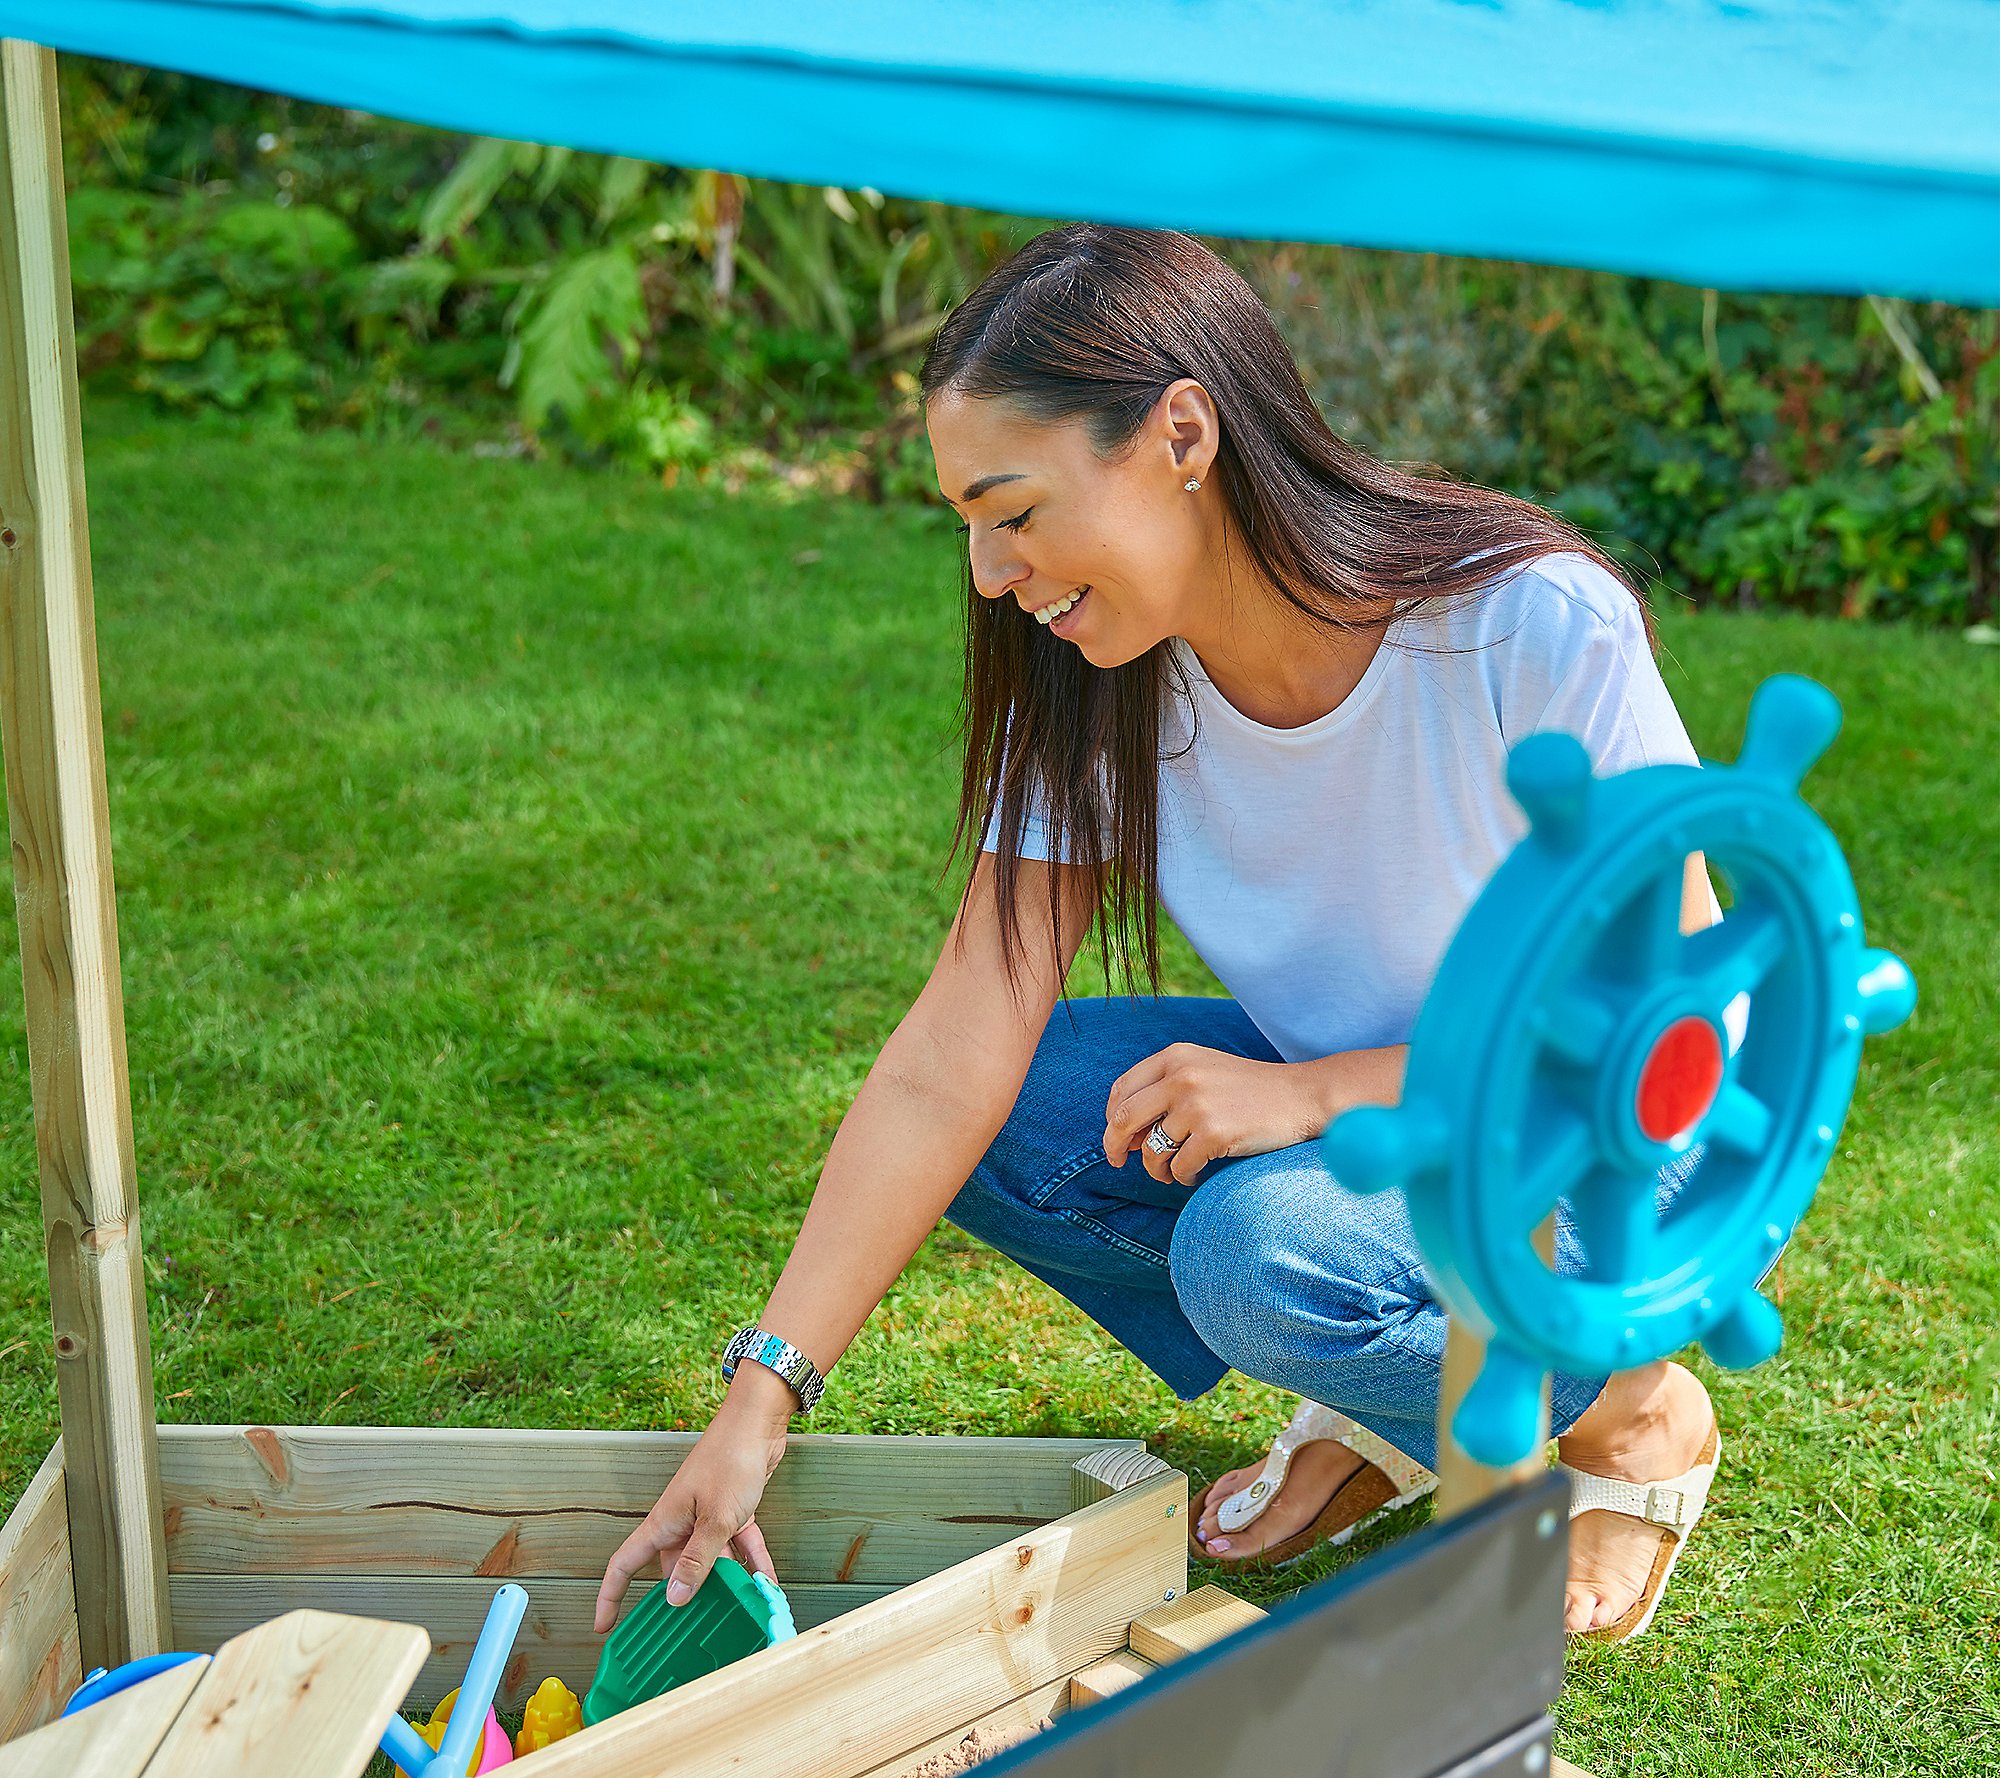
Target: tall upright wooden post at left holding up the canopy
{"type": "Point", "coordinates": [51, 729]}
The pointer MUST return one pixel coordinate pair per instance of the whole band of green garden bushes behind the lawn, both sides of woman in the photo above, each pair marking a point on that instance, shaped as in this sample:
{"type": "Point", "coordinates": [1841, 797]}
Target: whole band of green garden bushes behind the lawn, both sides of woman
{"type": "Point", "coordinates": [249, 253]}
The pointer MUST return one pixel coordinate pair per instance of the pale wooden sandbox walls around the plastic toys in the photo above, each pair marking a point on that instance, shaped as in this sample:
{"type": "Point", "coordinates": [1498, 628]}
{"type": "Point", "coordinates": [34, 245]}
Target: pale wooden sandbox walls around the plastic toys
{"type": "Point", "coordinates": [939, 1583]}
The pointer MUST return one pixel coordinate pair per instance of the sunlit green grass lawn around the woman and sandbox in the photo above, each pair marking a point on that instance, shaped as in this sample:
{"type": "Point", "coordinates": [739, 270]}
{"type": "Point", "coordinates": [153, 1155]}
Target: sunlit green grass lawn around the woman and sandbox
{"type": "Point", "coordinates": [521, 869]}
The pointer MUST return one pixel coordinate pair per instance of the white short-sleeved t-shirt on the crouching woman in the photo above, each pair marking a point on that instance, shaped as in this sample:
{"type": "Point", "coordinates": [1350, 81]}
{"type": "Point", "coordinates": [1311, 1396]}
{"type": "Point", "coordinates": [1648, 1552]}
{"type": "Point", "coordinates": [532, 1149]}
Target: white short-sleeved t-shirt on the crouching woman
{"type": "Point", "coordinates": [1323, 871]}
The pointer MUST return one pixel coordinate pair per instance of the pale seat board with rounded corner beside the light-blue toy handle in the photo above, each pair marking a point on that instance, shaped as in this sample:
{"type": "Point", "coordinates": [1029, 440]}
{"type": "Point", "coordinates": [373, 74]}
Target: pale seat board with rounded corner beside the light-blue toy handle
{"type": "Point", "coordinates": [303, 1693]}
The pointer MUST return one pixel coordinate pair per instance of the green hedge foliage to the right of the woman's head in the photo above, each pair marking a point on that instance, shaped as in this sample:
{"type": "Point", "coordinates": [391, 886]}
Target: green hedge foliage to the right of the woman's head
{"type": "Point", "coordinates": [1813, 453]}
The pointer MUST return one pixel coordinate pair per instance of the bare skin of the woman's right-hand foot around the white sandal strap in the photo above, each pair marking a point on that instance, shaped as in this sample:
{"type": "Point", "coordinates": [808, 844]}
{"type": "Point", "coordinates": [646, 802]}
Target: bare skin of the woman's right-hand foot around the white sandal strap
{"type": "Point", "coordinates": [1647, 1427]}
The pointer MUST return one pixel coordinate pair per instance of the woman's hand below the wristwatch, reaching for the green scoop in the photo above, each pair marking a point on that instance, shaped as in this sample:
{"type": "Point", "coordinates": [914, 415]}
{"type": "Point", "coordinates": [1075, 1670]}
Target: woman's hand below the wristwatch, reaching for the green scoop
{"type": "Point", "coordinates": [711, 1505]}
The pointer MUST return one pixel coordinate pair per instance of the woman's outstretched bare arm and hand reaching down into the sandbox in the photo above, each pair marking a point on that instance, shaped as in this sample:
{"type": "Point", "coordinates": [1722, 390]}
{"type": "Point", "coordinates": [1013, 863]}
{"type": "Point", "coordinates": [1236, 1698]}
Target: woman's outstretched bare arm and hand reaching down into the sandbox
{"type": "Point", "coordinates": [925, 1117]}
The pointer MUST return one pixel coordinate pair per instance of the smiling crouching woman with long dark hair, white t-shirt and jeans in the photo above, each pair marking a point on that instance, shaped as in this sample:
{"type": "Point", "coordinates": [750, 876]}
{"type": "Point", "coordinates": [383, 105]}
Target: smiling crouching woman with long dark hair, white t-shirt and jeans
{"type": "Point", "coordinates": [1225, 663]}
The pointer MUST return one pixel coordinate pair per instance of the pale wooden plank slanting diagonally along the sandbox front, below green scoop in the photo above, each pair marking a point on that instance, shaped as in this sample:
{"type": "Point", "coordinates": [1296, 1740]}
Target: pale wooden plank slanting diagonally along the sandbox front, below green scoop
{"type": "Point", "coordinates": [879, 1683]}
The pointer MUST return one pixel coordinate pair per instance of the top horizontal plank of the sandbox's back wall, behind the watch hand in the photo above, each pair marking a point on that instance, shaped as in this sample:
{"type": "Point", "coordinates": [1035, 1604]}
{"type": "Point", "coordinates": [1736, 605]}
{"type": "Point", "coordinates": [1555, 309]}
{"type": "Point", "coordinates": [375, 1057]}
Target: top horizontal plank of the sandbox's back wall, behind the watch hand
{"type": "Point", "coordinates": [525, 1505]}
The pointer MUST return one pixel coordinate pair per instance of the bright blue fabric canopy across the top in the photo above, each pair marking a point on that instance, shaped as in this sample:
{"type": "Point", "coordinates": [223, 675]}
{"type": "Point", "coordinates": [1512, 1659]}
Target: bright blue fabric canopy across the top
{"type": "Point", "coordinates": [1821, 145]}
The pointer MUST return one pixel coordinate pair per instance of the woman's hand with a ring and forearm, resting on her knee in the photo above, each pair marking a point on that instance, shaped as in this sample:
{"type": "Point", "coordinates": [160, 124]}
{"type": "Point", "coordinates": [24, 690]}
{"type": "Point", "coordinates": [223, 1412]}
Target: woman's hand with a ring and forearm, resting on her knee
{"type": "Point", "coordinates": [1219, 1105]}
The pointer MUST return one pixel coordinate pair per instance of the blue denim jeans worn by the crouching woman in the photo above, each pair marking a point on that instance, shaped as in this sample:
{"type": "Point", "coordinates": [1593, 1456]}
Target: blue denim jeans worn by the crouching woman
{"type": "Point", "coordinates": [1267, 1265]}
